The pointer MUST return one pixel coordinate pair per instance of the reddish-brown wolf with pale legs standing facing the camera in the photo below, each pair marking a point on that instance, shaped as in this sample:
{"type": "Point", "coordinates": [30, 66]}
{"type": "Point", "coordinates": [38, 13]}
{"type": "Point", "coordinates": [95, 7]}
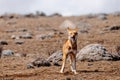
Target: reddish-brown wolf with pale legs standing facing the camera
{"type": "Point", "coordinates": [70, 49]}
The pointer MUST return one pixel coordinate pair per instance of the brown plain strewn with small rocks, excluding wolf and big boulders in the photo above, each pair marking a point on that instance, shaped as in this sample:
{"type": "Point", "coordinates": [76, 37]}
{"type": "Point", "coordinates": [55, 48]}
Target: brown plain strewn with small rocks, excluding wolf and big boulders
{"type": "Point", "coordinates": [32, 37]}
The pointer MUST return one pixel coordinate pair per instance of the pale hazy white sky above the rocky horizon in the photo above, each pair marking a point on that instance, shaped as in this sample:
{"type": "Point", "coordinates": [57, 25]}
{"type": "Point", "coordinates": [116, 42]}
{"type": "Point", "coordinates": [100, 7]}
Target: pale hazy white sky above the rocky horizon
{"type": "Point", "coordinates": [64, 7]}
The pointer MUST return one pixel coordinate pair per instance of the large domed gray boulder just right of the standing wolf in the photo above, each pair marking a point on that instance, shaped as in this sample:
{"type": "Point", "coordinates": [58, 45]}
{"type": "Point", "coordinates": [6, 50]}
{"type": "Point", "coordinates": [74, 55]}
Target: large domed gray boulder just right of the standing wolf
{"type": "Point", "coordinates": [94, 52]}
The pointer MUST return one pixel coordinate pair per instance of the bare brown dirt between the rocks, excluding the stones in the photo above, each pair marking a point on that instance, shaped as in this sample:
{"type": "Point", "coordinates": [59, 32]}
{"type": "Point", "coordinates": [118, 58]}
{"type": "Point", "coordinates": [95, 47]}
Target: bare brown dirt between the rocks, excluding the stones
{"type": "Point", "coordinates": [14, 68]}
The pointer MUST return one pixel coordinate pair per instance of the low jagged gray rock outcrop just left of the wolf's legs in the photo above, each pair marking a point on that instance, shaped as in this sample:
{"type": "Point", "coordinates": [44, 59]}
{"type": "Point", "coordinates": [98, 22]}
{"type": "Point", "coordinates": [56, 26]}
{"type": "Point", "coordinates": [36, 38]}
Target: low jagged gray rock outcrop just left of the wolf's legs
{"type": "Point", "coordinates": [54, 58]}
